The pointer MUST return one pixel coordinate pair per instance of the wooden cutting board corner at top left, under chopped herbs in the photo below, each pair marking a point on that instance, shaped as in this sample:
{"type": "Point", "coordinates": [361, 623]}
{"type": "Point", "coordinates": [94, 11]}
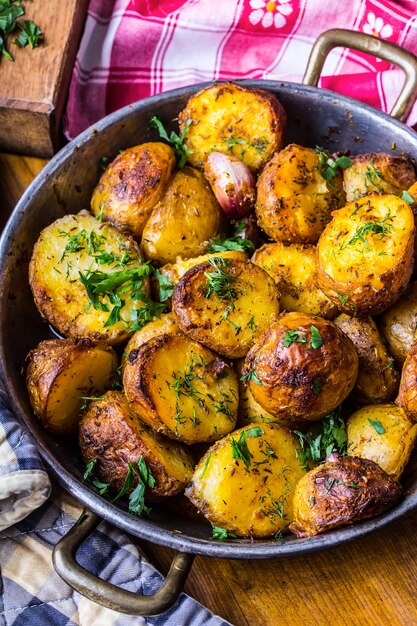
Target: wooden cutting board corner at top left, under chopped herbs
{"type": "Point", "coordinates": [33, 89]}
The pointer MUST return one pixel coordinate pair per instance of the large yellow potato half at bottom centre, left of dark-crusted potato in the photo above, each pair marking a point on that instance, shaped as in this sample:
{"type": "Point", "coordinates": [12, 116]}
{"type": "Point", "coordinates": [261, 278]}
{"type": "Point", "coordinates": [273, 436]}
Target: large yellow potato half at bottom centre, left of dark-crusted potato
{"type": "Point", "coordinates": [253, 500]}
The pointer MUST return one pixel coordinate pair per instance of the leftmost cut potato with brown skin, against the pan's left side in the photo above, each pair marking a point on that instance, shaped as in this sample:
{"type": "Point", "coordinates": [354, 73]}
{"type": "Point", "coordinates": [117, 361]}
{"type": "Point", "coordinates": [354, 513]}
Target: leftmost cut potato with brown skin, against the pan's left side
{"type": "Point", "coordinates": [60, 373]}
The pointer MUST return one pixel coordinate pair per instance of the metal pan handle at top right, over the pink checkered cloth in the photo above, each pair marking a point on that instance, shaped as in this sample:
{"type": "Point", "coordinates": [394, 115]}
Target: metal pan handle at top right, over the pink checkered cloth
{"type": "Point", "coordinates": [339, 37]}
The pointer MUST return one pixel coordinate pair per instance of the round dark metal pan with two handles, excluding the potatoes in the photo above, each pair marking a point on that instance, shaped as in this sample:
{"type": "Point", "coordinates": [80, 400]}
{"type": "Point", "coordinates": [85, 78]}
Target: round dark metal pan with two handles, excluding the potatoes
{"type": "Point", "coordinates": [316, 117]}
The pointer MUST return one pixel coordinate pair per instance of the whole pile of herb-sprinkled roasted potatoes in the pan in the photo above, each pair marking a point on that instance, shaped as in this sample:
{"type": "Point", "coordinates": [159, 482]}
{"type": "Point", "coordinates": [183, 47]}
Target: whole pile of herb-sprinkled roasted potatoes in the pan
{"type": "Point", "coordinates": [237, 281]}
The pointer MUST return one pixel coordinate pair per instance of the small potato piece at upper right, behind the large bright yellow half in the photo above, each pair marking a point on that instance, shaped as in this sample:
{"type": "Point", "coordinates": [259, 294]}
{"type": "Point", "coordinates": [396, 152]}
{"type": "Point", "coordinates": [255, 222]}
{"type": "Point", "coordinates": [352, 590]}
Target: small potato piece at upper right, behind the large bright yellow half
{"type": "Point", "coordinates": [377, 172]}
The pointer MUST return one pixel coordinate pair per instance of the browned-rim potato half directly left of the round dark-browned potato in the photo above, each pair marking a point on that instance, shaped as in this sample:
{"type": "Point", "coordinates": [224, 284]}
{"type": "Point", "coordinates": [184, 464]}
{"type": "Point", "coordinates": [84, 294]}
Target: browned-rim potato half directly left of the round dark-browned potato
{"type": "Point", "coordinates": [181, 389]}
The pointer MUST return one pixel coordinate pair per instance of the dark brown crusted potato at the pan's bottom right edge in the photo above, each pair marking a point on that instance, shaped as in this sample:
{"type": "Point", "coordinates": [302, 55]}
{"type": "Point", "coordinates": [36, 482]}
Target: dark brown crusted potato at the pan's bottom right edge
{"type": "Point", "coordinates": [341, 491]}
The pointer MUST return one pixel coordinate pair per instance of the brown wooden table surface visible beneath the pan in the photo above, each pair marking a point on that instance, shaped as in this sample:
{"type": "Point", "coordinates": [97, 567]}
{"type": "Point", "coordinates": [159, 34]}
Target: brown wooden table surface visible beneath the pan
{"type": "Point", "coordinates": [371, 581]}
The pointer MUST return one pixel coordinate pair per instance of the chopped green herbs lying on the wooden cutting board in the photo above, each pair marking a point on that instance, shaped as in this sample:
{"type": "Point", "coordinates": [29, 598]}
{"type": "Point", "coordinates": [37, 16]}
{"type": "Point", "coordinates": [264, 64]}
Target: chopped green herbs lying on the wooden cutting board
{"type": "Point", "coordinates": [30, 34]}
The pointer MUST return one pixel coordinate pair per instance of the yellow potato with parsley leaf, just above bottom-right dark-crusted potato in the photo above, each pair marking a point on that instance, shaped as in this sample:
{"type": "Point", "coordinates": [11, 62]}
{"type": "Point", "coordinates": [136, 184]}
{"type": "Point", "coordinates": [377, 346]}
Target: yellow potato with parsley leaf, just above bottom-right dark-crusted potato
{"type": "Point", "coordinates": [392, 448]}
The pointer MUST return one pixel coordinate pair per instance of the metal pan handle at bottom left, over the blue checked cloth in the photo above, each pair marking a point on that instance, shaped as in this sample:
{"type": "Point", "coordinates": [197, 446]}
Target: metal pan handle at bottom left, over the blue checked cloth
{"type": "Point", "coordinates": [105, 593]}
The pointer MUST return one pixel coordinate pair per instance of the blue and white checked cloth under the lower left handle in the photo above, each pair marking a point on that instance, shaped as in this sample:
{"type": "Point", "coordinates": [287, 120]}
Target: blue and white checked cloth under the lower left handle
{"type": "Point", "coordinates": [32, 593]}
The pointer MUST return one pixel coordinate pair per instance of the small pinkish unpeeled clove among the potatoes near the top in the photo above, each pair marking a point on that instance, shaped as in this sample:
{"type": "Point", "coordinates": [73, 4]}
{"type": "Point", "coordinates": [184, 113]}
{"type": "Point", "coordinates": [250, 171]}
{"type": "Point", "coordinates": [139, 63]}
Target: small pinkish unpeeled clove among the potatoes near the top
{"type": "Point", "coordinates": [232, 182]}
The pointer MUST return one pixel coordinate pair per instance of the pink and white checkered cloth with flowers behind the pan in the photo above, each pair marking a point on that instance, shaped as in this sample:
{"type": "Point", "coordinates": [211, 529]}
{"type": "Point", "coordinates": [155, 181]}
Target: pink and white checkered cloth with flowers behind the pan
{"type": "Point", "coordinates": [132, 49]}
